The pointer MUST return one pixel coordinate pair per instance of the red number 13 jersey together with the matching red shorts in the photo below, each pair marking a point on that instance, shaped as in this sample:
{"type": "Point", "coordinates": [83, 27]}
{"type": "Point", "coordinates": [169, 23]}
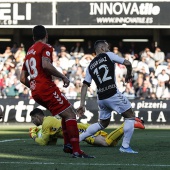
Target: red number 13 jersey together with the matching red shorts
{"type": "Point", "coordinates": [44, 91]}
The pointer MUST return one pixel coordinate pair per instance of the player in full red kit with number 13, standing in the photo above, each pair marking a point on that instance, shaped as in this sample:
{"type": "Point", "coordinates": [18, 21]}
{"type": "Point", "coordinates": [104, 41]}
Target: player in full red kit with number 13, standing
{"type": "Point", "coordinates": [38, 66]}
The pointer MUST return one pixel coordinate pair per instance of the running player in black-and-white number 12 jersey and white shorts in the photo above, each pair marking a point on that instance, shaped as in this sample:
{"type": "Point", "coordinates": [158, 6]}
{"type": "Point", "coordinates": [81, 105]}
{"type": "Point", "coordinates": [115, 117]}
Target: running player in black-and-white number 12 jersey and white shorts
{"type": "Point", "coordinates": [102, 70]}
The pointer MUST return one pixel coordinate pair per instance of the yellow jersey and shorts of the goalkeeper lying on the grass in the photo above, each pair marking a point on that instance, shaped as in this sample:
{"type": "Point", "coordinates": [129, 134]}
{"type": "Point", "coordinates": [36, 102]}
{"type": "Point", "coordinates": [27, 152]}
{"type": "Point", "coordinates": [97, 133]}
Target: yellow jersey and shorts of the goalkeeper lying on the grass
{"type": "Point", "coordinates": [51, 130]}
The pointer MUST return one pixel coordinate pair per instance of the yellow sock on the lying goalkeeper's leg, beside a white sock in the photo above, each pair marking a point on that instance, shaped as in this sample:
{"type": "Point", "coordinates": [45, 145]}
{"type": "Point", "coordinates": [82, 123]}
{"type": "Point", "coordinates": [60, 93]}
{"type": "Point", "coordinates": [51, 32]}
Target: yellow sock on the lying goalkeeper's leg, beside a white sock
{"type": "Point", "coordinates": [113, 137]}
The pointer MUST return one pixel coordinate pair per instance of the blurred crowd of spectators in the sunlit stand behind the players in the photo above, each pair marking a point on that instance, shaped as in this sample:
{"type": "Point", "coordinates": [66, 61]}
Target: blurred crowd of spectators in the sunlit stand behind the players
{"type": "Point", "coordinates": [151, 71]}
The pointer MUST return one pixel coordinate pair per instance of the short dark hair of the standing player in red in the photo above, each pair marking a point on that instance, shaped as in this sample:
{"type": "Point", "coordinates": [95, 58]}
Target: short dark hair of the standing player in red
{"type": "Point", "coordinates": [39, 32]}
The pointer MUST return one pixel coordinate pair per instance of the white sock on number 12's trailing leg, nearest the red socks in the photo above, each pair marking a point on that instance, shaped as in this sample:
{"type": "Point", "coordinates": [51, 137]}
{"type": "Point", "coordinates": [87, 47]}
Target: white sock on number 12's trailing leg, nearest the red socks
{"type": "Point", "coordinates": [91, 130]}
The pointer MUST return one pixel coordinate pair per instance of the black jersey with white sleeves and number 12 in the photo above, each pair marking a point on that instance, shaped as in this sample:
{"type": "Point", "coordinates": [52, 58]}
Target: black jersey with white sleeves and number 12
{"type": "Point", "coordinates": [102, 70]}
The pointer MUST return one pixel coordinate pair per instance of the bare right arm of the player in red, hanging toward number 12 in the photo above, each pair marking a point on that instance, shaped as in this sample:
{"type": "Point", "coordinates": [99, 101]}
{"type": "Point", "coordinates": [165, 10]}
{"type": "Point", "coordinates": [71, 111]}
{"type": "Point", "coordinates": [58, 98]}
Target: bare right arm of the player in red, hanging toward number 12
{"type": "Point", "coordinates": [46, 64]}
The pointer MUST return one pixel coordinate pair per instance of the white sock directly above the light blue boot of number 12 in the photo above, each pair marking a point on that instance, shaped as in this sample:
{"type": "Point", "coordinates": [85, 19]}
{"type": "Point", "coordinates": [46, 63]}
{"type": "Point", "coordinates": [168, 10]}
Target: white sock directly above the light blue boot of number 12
{"type": "Point", "coordinates": [128, 132]}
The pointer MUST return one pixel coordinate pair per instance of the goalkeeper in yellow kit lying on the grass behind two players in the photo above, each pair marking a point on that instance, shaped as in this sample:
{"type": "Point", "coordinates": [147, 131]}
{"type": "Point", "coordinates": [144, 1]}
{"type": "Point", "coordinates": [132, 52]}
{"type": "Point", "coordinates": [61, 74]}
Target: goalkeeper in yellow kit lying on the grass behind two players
{"type": "Point", "coordinates": [51, 130]}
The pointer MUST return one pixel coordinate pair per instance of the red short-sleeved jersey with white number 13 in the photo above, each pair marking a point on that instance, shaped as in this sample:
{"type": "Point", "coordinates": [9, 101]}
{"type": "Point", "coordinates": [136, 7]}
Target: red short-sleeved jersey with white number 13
{"type": "Point", "coordinates": [39, 79]}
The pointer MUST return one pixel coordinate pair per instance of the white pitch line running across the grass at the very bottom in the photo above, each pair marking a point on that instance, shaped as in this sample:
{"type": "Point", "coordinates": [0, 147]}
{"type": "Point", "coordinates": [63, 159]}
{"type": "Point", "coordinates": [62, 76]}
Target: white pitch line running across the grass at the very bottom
{"type": "Point", "coordinates": [83, 164]}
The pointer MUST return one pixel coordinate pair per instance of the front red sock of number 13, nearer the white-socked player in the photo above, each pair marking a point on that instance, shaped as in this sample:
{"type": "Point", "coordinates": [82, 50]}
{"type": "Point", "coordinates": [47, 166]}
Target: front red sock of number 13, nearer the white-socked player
{"type": "Point", "coordinates": [73, 133]}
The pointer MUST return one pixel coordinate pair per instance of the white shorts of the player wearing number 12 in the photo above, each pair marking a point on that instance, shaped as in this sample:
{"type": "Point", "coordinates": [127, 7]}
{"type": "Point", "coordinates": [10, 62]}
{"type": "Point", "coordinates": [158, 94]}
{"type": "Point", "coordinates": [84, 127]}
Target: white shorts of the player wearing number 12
{"type": "Point", "coordinates": [117, 102]}
